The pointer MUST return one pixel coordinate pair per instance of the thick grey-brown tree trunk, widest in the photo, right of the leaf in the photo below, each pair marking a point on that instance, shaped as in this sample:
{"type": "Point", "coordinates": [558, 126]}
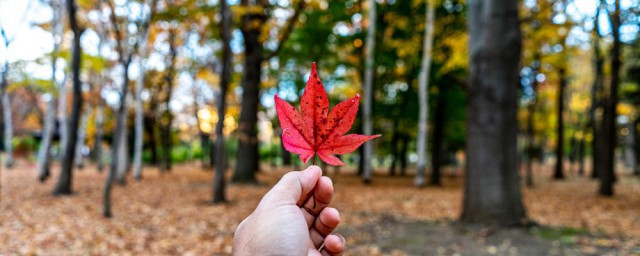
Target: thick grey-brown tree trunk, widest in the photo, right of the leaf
{"type": "Point", "coordinates": [492, 189]}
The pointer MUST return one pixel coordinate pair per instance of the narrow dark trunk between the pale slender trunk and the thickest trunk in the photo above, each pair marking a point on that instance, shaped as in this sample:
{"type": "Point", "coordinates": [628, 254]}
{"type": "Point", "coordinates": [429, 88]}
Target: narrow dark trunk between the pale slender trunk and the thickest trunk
{"type": "Point", "coordinates": [437, 152]}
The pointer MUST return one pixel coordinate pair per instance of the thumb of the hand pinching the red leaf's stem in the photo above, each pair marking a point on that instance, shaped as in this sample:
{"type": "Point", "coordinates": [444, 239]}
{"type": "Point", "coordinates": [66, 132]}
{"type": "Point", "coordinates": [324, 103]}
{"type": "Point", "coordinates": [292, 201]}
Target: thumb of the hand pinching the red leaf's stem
{"type": "Point", "coordinates": [295, 187]}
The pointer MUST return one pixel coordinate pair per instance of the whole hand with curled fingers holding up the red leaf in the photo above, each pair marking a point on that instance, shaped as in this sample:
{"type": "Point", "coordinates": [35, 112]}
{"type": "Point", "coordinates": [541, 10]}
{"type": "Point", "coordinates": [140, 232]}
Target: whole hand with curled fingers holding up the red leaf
{"type": "Point", "coordinates": [286, 223]}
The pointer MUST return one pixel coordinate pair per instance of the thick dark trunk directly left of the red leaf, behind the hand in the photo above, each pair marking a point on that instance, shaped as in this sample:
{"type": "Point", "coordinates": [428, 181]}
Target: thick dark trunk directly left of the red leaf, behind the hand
{"type": "Point", "coordinates": [248, 157]}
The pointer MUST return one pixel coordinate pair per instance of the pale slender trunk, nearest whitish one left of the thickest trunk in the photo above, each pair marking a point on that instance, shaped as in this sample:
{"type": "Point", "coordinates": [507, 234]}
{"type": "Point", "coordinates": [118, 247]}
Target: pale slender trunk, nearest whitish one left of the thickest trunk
{"type": "Point", "coordinates": [423, 93]}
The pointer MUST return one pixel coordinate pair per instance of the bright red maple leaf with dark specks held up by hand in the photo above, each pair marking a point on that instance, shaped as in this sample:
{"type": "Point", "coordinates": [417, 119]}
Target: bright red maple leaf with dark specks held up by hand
{"type": "Point", "coordinates": [318, 130]}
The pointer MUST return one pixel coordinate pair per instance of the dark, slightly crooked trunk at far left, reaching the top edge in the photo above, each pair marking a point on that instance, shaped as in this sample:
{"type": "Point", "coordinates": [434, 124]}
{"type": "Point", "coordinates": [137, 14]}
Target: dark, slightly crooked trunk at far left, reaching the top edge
{"type": "Point", "coordinates": [63, 187]}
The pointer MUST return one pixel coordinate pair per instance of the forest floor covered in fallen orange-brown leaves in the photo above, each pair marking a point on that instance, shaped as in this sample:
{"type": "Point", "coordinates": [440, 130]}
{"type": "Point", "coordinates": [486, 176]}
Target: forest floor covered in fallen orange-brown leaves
{"type": "Point", "coordinates": [169, 214]}
